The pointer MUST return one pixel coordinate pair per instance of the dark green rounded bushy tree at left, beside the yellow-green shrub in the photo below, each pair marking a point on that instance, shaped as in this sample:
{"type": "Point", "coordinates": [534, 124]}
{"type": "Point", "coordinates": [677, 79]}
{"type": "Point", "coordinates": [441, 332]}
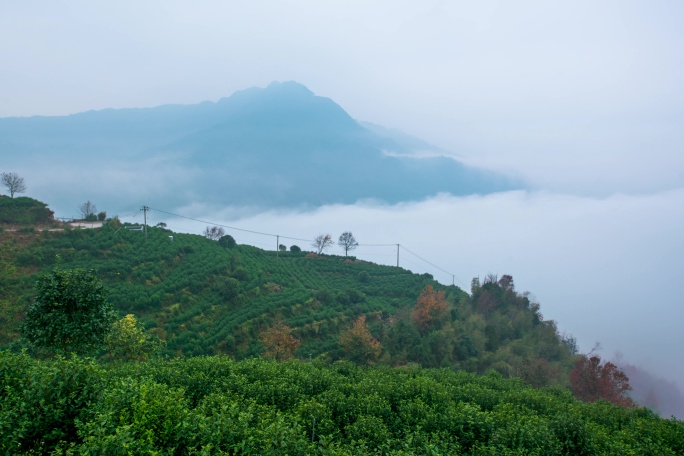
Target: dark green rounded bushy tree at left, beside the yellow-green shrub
{"type": "Point", "coordinates": [70, 313]}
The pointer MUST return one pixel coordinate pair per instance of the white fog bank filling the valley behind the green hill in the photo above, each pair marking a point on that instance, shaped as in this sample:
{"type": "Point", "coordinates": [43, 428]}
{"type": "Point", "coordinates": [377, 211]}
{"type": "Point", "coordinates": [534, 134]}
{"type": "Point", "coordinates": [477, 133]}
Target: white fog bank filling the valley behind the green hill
{"type": "Point", "coordinates": [605, 269]}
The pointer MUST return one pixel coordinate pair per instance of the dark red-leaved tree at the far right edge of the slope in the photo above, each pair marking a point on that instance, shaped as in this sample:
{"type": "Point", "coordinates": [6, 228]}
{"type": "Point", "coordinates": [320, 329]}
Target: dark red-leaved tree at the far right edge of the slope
{"type": "Point", "coordinates": [590, 381]}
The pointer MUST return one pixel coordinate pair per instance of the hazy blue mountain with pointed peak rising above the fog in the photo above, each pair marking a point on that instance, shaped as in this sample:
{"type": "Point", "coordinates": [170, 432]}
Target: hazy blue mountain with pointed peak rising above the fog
{"type": "Point", "coordinates": [276, 146]}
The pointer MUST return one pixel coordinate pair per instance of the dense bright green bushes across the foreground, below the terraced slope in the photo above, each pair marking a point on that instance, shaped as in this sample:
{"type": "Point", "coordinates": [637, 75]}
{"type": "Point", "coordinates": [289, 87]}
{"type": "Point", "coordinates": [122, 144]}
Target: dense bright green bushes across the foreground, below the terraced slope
{"type": "Point", "coordinates": [215, 405]}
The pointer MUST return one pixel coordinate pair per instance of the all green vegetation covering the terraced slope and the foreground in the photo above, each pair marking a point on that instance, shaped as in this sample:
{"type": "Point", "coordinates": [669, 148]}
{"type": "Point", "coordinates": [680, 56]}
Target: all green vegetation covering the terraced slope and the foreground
{"type": "Point", "coordinates": [230, 349]}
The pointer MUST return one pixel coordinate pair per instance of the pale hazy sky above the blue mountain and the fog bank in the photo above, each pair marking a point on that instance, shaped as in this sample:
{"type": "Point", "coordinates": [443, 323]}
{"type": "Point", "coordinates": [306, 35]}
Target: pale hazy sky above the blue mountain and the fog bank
{"type": "Point", "coordinates": [580, 96]}
